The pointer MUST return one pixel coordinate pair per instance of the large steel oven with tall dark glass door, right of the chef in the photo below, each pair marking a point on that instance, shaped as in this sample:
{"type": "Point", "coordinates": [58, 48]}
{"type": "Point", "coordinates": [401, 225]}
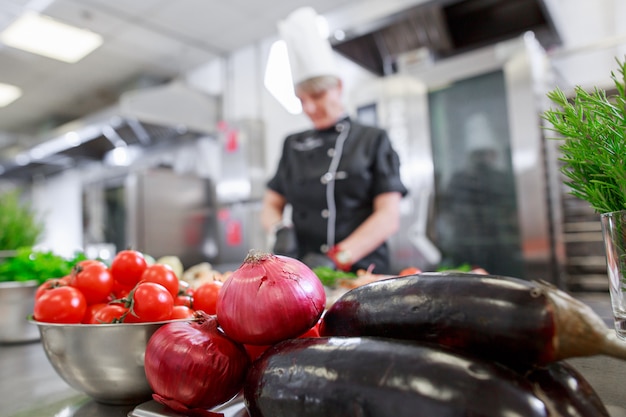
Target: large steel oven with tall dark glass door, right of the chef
{"type": "Point", "coordinates": [453, 116]}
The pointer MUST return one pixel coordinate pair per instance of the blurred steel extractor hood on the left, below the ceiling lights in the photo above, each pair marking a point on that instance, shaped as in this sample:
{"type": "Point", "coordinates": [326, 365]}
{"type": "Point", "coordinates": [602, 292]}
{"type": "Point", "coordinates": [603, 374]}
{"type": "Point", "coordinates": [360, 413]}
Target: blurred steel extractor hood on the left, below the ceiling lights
{"type": "Point", "coordinates": [143, 118]}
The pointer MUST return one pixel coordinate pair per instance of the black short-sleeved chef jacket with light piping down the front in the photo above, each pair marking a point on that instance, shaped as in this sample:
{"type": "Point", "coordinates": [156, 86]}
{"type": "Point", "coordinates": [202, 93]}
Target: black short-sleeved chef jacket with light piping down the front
{"type": "Point", "coordinates": [331, 177]}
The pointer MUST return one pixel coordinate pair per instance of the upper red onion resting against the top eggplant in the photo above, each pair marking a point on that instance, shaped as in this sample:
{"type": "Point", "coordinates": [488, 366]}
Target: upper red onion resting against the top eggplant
{"type": "Point", "coordinates": [270, 298]}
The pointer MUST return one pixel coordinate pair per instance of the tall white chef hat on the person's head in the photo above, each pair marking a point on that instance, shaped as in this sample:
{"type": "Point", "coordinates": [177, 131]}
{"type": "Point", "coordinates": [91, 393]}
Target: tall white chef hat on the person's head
{"type": "Point", "coordinates": [310, 55]}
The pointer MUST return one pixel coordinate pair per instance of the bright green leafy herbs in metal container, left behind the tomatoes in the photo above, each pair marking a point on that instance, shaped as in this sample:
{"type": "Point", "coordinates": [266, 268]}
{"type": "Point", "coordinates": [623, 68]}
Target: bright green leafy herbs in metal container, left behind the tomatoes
{"type": "Point", "coordinates": [28, 264]}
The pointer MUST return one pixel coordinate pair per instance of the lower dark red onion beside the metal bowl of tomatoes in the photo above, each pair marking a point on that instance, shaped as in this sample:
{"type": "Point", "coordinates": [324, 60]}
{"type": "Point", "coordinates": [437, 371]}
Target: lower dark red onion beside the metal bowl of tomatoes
{"type": "Point", "coordinates": [192, 366]}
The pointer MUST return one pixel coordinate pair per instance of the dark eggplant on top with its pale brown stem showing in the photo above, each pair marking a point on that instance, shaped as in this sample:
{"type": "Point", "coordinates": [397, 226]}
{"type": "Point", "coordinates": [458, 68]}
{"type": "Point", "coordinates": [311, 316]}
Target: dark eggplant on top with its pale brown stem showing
{"type": "Point", "coordinates": [510, 320]}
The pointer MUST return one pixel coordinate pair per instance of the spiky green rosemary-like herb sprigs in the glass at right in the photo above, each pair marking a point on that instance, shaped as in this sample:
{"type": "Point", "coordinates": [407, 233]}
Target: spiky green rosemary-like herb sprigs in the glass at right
{"type": "Point", "coordinates": [592, 126]}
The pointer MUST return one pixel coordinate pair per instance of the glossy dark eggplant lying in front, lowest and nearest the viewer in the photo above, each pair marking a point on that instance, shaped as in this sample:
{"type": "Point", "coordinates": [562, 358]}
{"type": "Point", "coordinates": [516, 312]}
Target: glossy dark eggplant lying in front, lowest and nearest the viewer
{"type": "Point", "coordinates": [376, 377]}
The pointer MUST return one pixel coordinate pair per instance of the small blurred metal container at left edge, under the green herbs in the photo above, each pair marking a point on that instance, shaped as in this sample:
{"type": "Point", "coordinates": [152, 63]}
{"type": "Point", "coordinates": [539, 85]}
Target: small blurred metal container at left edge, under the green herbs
{"type": "Point", "coordinates": [17, 300]}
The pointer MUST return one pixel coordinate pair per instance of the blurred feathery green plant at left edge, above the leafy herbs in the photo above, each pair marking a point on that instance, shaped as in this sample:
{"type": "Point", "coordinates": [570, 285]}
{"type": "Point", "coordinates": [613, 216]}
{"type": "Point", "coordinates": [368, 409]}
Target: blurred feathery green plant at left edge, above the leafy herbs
{"type": "Point", "coordinates": [19, 224]}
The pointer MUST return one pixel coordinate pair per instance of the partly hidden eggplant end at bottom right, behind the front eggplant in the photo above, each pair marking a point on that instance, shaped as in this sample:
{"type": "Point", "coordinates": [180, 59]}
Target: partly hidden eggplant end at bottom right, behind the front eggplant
{"type": "Point", "coordinates": [557, 381]}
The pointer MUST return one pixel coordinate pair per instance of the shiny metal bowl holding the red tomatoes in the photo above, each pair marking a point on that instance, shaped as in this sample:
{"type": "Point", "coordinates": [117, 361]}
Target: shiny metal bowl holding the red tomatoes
{"type": "Point", "coordinates": [104, 361]}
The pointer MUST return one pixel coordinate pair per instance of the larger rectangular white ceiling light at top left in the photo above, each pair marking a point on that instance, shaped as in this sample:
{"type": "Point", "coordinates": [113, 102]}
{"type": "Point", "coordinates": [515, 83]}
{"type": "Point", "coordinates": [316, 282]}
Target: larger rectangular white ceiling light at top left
{"type": "Point", "coordinates": [45, 36]}
